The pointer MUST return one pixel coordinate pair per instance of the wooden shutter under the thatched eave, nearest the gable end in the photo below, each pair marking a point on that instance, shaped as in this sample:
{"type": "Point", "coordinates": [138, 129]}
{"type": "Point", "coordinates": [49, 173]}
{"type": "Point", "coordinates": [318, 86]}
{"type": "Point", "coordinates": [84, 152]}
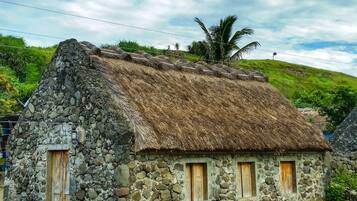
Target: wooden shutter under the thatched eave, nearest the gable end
{"type": "Point", "coordinates": [196, 182]}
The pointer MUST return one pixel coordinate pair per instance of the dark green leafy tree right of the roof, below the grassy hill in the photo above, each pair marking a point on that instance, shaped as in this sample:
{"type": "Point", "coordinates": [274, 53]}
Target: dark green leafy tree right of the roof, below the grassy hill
{"type": "Point", "coordinates": [335, 103]}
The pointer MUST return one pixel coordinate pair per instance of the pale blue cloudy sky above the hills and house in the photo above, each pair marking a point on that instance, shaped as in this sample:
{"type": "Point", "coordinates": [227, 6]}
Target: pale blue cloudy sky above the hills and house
{"type": "Point", "coordinates": [318, 33]}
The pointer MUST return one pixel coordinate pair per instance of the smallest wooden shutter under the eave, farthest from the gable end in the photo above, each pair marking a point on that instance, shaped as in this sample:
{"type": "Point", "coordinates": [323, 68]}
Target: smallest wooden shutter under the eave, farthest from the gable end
{"type": "Point", "coordinates": [287, 177]}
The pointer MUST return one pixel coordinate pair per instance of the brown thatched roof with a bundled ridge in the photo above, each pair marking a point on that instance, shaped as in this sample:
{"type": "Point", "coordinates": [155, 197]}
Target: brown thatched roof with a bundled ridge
{"type": "Point", "coordinates": [196, 107]}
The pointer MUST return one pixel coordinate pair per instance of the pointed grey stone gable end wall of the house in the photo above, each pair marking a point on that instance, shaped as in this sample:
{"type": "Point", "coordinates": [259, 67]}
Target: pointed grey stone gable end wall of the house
{"type": "Point", "coordinates": [70, 109]}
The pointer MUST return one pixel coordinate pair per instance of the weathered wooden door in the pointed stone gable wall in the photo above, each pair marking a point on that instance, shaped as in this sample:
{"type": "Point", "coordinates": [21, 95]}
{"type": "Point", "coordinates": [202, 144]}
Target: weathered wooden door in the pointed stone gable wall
{"type": "Point", "coordinates": [57, 176]}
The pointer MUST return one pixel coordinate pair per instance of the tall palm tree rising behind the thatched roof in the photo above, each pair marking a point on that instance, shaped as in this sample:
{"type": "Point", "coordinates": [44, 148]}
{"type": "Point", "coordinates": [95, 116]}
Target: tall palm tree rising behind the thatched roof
{"type": "Point", "coordinates": [220, 43]}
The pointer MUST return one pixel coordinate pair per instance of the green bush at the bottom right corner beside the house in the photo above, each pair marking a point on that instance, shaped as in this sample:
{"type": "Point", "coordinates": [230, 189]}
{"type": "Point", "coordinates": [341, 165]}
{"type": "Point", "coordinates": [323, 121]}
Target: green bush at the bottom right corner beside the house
{"type": "Point", "coordinates": [338, 185]}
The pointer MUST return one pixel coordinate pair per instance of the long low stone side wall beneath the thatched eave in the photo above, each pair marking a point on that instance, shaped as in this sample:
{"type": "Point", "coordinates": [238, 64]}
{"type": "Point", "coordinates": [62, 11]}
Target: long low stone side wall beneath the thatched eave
{"type": "Point", "coordinates": [161, 177]}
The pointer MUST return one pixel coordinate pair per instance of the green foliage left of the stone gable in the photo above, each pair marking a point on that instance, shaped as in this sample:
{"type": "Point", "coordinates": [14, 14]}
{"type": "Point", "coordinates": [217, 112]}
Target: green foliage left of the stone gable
{"type": "Point", "coordinates": [21, 67]}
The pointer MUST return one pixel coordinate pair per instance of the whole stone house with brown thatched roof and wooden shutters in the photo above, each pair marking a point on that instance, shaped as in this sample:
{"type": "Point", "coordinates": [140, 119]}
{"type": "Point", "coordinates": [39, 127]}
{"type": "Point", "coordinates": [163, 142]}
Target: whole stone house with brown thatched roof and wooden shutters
{"type": "Point", "coordinates": [109, 125]}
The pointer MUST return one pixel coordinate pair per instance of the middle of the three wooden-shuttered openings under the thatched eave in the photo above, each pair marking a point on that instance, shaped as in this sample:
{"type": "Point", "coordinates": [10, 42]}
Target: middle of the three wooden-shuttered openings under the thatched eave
{"type": "Point", "coordinates": [246, 179]}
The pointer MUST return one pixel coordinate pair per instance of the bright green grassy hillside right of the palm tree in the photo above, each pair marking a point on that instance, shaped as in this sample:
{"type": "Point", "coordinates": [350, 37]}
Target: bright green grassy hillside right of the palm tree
{"type": "Point", "coordinates": [292, 79]}
